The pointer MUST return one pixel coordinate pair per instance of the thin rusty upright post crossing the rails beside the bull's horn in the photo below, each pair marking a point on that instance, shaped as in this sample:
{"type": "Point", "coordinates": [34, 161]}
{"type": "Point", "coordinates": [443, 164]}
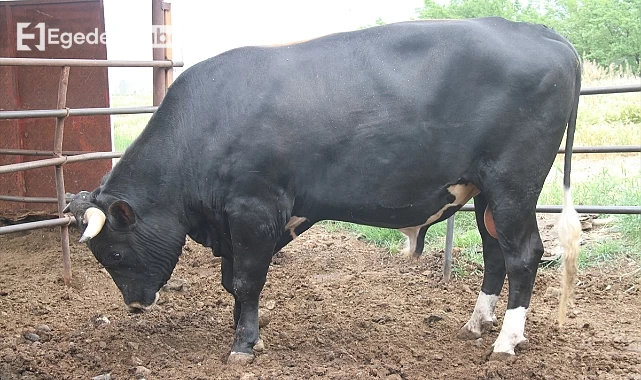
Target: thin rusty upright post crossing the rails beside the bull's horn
{"type": "Point", "coordinates": [60, 179]}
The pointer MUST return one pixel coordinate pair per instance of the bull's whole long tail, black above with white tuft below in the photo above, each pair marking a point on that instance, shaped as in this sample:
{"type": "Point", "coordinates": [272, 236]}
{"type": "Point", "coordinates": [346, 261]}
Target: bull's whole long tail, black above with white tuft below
{"type": "Point", "coordinates": [569, 225]}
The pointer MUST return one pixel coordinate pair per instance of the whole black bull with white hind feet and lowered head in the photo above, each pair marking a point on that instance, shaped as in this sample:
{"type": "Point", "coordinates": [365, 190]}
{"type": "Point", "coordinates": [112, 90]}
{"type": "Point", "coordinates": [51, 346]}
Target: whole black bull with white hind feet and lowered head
{"type": "Point", "coordinates": [395, 126]}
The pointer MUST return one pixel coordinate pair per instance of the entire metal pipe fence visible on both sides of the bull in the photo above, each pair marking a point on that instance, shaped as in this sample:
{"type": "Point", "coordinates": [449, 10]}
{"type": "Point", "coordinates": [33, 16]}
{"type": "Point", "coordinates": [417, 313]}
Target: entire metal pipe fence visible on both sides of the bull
{"type": "Point", "coordinates": [62, 157]}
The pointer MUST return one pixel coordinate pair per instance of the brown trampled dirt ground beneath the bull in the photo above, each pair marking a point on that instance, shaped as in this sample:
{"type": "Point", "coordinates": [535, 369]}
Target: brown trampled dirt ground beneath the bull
{"type": "Point", "coordinates": [338, 308]}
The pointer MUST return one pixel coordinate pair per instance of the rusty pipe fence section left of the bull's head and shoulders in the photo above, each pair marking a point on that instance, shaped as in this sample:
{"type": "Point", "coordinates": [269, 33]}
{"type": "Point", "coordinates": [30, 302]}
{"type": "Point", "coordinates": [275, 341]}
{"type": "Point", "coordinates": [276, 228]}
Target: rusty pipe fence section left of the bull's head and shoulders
{"type": "Point", "coordinates": [60, 157]}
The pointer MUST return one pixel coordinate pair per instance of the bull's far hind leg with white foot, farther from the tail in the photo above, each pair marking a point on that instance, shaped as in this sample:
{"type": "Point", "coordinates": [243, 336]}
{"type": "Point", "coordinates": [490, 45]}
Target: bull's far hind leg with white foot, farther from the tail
{"type": "Point", "coordinates": [483, 317]}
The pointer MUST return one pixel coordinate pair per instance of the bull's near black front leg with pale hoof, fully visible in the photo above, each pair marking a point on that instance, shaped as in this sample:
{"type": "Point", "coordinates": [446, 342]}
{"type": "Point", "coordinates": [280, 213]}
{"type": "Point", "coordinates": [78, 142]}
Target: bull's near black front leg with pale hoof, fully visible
{"type": "Point", "coordinates": [252, 253]}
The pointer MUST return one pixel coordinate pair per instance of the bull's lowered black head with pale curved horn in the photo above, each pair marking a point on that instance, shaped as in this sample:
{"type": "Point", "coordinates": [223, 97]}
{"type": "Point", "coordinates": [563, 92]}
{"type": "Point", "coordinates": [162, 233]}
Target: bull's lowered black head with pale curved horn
{"type": "Point", "coordinates": [139, 260]}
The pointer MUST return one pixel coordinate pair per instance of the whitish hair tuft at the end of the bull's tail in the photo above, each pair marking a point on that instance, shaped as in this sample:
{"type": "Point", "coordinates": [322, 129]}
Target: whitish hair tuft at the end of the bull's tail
{"type": "Point", "coordinates": [569, 234]}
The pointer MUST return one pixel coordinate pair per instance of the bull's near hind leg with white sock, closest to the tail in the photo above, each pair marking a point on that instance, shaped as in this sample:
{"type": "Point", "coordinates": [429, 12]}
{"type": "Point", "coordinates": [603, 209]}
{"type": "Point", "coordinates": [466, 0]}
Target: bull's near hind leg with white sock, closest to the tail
{"type": "Point", "coordinates": [521, 244]}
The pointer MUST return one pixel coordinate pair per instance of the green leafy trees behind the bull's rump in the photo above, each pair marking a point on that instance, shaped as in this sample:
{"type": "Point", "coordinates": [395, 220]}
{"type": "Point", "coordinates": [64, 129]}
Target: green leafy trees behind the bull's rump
{"type": "Point", "coordinates": [606, 31]}
